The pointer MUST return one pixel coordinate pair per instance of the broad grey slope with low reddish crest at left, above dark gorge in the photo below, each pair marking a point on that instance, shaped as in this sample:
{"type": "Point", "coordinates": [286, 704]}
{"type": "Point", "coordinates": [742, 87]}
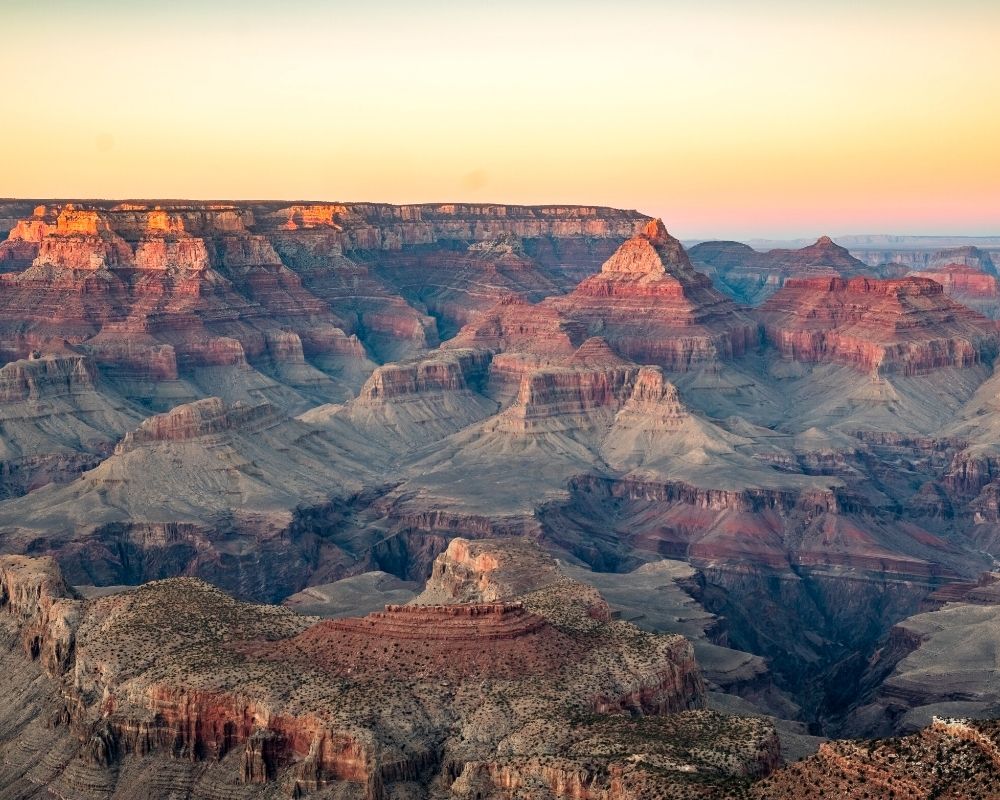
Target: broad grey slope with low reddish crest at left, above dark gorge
{"type": "Point", "coordinates": [238, 494]}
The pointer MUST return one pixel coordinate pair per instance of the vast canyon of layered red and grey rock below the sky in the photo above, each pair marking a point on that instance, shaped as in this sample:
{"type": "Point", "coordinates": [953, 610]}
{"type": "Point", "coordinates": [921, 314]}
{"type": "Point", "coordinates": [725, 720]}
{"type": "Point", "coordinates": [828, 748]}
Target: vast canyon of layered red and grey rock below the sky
{"type": "Point", "coordinates": [484, 501]}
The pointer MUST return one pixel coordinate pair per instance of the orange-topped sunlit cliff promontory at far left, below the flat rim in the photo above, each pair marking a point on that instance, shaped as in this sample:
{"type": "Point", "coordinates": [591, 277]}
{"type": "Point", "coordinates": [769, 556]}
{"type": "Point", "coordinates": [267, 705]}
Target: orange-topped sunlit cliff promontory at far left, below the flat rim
{"type": "Point", "coordinates": [154, 294]}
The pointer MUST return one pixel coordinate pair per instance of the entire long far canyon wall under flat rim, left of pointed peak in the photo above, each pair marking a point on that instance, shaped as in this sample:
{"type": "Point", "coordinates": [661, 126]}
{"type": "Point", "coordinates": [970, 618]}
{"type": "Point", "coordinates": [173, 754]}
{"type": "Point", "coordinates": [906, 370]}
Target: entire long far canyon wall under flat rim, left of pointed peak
{"type": "Point", "coordinates": [159, 292]}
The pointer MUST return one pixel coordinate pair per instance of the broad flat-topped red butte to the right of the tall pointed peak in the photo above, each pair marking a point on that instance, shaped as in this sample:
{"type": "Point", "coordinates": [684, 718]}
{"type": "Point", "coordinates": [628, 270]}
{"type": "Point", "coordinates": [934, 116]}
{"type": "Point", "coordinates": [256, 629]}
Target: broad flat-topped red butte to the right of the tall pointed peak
{"type": "Point", "coordinates": [905, 325]}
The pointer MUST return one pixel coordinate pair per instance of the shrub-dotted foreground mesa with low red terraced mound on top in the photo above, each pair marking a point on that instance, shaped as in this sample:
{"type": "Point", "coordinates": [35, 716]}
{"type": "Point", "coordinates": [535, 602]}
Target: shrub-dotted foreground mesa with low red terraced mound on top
{"type": "Point", "coordinates": [179, 677]}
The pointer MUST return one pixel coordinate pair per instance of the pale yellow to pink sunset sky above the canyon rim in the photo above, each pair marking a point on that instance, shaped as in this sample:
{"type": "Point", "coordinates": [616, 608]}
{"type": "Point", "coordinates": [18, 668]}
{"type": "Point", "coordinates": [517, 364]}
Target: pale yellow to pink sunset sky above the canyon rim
{"type": "Point", "coordinates": [725, 117]}
